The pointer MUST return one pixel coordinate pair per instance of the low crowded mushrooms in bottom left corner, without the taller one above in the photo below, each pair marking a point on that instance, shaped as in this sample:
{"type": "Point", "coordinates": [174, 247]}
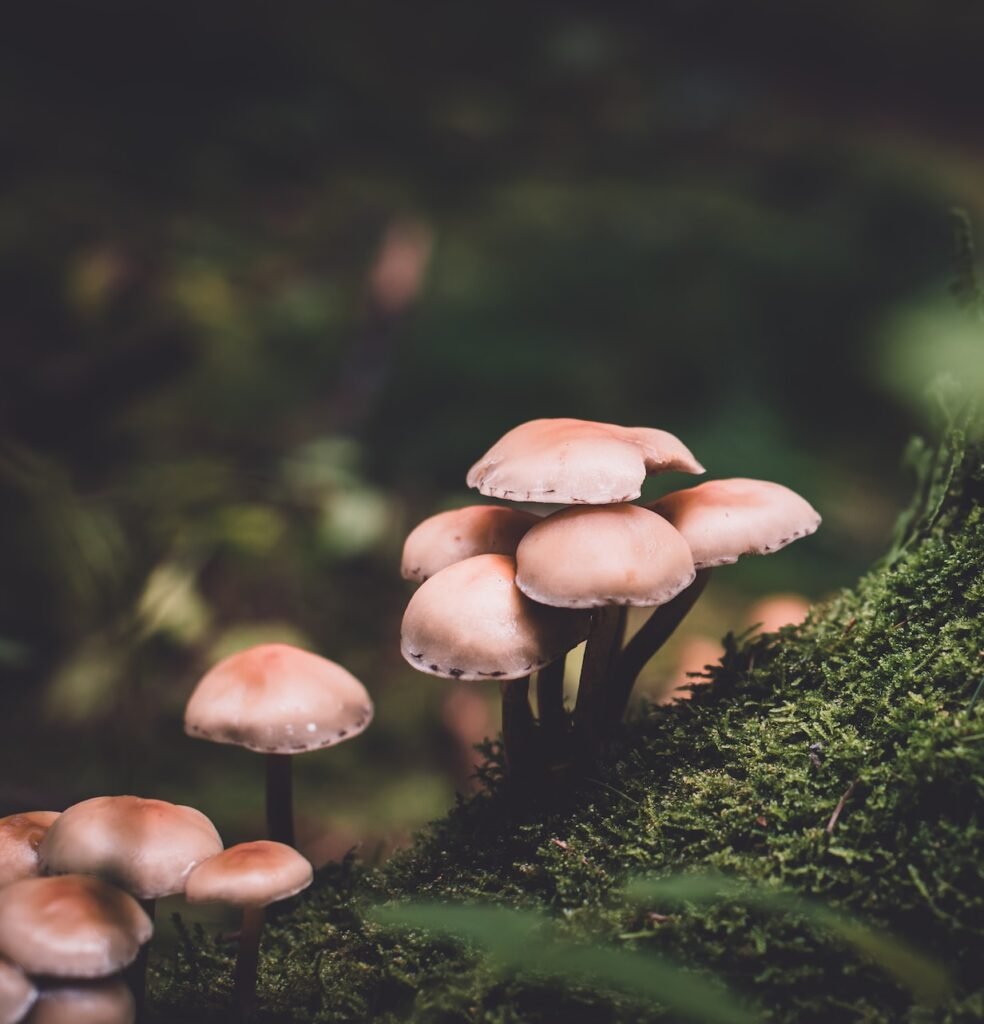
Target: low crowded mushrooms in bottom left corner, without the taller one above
{"type": "Point", "coordinates": [78, 895]}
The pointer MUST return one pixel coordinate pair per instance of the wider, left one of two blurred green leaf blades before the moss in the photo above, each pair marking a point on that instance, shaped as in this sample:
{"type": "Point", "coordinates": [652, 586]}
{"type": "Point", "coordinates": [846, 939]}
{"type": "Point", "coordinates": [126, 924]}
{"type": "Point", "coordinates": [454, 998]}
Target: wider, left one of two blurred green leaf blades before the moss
{"type": "Point", "coordinates": [522, 941]}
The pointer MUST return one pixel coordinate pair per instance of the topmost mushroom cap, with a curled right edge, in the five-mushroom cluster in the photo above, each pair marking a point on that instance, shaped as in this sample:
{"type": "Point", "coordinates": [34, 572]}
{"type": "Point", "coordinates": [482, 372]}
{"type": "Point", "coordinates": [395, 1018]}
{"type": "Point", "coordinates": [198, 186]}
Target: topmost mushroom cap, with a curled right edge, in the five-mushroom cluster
{"type": "Point", "coordinates": [578, 462]}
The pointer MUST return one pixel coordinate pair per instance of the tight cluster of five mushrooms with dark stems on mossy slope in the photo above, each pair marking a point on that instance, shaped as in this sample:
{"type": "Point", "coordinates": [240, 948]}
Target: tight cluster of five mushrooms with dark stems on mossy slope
{"type": "Point", "coordinates": [506, 593]}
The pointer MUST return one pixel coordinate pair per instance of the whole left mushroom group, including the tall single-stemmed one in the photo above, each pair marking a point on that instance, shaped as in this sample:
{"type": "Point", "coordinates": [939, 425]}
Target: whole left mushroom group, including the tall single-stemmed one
{"type": "Point", "coordinates": [78, 889]}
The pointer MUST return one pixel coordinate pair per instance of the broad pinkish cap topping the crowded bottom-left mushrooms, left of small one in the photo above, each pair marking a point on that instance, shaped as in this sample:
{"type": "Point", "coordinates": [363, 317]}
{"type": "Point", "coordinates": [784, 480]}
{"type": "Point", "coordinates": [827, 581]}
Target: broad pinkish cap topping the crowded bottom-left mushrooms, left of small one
{"type": "Point", "coordinates": [147, 847]}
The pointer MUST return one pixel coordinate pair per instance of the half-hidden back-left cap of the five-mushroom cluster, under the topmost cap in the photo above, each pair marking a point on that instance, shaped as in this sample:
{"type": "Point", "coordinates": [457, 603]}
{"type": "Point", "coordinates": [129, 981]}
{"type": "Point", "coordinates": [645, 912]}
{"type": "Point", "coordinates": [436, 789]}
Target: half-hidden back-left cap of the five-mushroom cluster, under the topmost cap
{"type": "Point", "coordinates": [453, 537]}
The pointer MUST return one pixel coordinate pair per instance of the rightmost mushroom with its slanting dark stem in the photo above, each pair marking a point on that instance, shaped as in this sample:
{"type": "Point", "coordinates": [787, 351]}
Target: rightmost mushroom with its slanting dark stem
{"type": "Point", "coordinates": [721, 521]}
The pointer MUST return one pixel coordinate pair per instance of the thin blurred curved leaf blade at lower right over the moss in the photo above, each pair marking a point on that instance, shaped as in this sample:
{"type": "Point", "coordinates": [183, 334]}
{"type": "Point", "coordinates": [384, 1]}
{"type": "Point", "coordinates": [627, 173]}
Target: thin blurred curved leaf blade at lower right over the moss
{"type": "Point", "coordinates": [922, 975]}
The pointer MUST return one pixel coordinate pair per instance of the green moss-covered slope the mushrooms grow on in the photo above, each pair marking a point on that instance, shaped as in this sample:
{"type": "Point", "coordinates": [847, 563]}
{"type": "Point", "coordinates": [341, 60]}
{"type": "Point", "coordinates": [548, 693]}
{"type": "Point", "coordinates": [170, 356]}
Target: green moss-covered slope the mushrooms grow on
{"type": "Point", "coordinates": [875, 695]}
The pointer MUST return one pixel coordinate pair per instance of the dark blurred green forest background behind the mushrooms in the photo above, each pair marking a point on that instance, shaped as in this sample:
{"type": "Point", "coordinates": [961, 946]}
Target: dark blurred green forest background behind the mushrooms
{"type": "Point", "coordinates": [273, 276]}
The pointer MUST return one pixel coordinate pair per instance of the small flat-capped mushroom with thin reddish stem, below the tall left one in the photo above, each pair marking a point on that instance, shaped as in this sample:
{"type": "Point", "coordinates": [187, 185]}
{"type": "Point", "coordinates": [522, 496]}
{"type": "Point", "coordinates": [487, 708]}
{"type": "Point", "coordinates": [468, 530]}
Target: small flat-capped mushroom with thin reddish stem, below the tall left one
{"type": "Point", "coordinates": [250, 876]}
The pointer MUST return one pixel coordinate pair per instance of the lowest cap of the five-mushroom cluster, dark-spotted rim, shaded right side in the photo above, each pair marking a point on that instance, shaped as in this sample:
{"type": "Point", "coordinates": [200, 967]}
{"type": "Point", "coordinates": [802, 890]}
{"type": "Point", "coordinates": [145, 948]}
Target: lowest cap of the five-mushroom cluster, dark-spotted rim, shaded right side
{"type": "Point", "coordinates": [472, 622]}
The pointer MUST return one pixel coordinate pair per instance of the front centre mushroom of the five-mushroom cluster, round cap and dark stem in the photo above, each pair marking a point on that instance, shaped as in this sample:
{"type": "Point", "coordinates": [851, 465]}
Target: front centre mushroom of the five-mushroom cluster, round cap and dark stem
{"type": "Point", "coordinates": [607, 559]}
